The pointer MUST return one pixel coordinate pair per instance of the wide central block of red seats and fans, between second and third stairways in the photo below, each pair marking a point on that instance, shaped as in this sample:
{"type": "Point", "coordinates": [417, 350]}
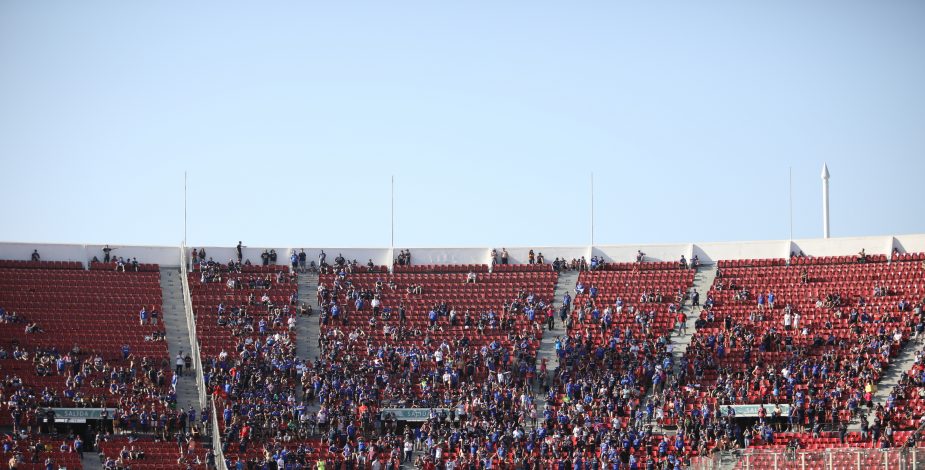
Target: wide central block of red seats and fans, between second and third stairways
{"type": "Point", "coordinates": [467, 349]}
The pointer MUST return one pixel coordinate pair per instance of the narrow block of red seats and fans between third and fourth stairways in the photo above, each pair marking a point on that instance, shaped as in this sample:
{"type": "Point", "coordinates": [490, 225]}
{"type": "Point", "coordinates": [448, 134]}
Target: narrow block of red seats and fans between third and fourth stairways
{"type": "Point", "coordinates": [606, 399]}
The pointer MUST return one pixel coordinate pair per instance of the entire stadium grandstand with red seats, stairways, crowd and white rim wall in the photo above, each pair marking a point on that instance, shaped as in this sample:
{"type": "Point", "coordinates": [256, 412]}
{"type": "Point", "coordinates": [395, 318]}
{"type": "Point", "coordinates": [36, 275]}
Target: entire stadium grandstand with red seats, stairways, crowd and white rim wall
{"type": "Point", "coordinates": [764, 354]}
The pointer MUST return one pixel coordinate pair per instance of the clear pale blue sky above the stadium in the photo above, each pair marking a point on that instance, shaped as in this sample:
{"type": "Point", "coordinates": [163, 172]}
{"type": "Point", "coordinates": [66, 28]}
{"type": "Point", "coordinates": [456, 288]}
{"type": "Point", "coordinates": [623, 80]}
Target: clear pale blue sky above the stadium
{"type": "Point", "coordinates": [291, 116]}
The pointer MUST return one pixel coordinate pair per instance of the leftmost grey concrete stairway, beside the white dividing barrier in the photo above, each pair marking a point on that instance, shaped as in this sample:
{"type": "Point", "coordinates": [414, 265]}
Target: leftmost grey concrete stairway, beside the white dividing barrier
{"type": "Point", "coordinates": [178, 339]}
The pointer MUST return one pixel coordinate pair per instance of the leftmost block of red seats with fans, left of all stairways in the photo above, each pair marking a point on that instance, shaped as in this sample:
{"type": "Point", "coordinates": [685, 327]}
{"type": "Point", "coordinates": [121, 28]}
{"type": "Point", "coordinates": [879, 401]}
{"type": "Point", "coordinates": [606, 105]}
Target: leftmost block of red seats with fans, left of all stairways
{"type": "Point", "coordinates": [71, 338]}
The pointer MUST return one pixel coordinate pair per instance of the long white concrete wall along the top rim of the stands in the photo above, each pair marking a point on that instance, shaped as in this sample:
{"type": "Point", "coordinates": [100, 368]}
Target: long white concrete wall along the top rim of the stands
{"type": "Point", "coordinates": [708, 252]}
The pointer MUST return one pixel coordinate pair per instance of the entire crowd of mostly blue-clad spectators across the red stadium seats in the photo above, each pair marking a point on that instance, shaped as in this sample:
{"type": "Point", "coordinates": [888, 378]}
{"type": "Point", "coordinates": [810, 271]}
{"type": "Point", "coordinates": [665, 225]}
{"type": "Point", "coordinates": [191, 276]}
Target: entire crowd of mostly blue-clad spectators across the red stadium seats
{"type": "Point", "coordinates": [609, 399]}
